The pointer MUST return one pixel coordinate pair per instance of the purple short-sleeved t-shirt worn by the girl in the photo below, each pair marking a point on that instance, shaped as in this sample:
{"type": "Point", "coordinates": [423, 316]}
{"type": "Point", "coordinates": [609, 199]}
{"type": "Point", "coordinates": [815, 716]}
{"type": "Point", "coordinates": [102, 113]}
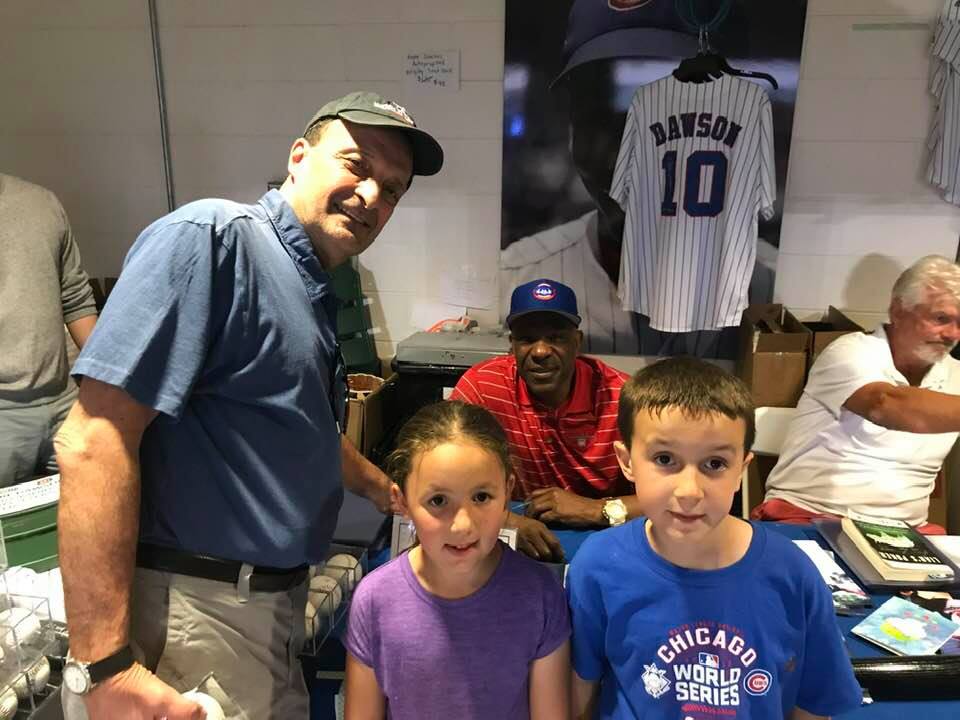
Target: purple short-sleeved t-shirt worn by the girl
{"type": "Point", "coordinates": [468, 659]}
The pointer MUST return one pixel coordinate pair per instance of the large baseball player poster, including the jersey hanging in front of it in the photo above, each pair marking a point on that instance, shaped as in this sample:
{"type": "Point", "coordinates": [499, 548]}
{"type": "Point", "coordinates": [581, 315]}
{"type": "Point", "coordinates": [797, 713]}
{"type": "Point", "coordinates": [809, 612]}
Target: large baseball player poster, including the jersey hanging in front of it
{"type": "Point", "coordinates": [572, 70]}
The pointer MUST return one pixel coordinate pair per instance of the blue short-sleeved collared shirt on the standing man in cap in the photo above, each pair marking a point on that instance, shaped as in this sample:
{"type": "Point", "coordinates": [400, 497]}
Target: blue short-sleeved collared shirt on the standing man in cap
{"type": "Point", "coordinates": [224, 321]}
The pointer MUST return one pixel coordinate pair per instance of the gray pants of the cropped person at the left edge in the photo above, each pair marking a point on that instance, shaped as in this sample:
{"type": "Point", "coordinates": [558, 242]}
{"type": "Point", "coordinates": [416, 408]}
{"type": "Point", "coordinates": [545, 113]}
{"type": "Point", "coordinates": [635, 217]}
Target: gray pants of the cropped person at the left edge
{"type": "Point", "coordinates": [26, 436]}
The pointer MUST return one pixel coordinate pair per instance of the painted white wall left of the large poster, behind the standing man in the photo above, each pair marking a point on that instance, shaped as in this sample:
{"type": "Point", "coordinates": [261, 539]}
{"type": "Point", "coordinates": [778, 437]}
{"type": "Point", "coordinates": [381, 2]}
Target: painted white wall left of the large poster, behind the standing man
{"type": "Point", "coordinates": [80, 117]}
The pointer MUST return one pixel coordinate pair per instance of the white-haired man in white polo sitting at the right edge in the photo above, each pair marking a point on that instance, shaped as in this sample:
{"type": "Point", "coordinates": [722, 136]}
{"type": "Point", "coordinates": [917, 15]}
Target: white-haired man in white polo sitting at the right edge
{"type": "Point", "coordinates": [879, 413]}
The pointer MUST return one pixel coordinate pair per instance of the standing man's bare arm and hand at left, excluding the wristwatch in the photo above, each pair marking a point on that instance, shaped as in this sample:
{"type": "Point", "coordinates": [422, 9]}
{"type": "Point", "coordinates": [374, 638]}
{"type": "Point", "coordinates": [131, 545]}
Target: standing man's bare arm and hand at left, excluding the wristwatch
{"type": "Point", "coordinates": [98, 523]}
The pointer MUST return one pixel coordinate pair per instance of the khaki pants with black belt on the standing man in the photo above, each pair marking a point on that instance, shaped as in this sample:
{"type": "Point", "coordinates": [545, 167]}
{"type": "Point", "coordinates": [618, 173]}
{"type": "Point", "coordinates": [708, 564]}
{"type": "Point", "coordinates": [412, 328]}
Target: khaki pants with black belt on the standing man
{"type": "Point", "coordinates": [184, 628]}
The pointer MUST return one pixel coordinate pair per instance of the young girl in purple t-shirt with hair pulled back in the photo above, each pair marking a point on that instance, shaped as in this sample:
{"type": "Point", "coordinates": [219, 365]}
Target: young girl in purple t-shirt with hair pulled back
{"type": "Point", "coordinates": [460, 626]}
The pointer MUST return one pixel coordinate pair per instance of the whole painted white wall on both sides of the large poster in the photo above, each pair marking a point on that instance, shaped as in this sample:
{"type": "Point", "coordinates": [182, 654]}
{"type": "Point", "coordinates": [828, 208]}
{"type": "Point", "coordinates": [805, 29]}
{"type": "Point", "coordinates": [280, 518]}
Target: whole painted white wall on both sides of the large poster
{"type": "Point", "coordinates": [80, 118]}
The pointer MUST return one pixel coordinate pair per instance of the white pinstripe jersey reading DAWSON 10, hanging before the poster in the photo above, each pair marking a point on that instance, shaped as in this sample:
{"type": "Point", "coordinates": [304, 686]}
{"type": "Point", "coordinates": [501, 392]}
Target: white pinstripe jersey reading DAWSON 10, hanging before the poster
{"type": "Point", "coordinates": [696, 165]}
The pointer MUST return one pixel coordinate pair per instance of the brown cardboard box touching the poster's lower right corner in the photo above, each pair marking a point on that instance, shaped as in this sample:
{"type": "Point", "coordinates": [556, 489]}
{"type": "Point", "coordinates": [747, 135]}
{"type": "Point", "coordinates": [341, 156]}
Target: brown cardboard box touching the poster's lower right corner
{"type": "Point", "coordinates": [772, 357]}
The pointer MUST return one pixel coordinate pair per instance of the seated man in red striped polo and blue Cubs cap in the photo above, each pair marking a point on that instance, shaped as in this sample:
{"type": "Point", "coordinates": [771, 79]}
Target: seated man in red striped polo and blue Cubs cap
{"type": "Point", "coordinates": [559, 411]}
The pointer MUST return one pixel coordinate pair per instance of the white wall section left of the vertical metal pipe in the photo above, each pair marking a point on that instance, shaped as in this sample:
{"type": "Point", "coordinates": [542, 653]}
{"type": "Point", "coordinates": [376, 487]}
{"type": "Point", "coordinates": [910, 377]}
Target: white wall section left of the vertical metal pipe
{"type": "Point", "coordinates": [80, 116]}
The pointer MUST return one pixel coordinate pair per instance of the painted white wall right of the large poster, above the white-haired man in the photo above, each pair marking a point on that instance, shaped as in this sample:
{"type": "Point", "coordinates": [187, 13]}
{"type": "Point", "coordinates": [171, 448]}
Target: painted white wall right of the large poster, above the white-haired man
{"type": "Point", "coordinates": [858, 210]}
